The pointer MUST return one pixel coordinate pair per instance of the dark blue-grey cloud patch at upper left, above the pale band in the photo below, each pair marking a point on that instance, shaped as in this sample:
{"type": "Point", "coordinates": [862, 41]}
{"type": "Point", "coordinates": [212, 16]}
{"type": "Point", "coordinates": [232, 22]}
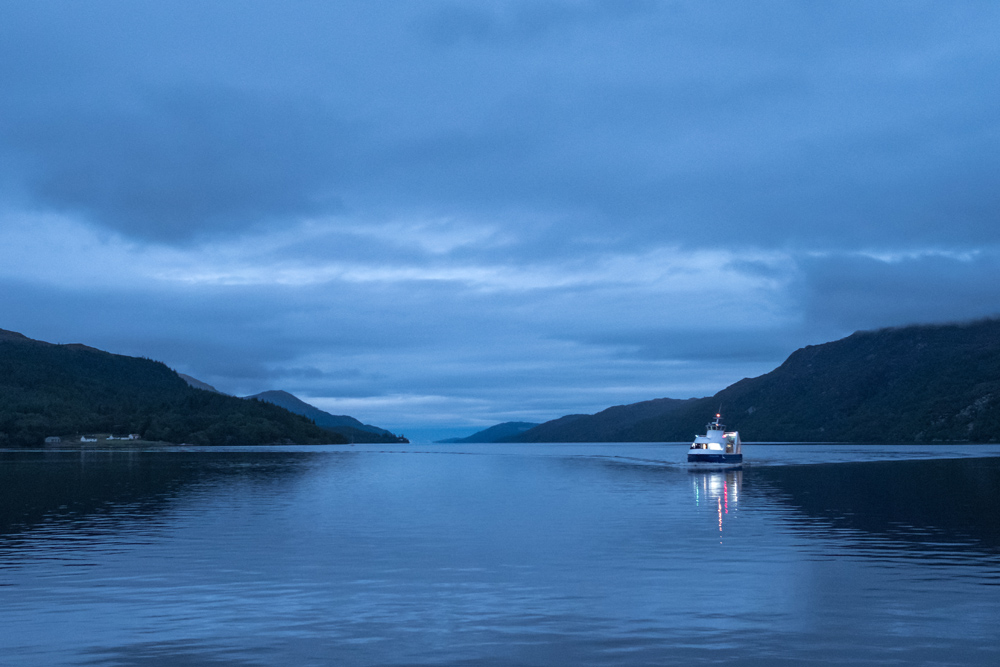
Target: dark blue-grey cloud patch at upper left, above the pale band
{"type": "Point", "coordinates": [167, 166]}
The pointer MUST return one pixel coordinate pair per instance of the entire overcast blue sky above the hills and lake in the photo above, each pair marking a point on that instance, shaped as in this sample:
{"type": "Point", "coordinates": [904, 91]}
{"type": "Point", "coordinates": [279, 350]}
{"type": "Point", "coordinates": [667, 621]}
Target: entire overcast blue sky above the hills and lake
{"type": "Point", "coordinates": [437, 216]}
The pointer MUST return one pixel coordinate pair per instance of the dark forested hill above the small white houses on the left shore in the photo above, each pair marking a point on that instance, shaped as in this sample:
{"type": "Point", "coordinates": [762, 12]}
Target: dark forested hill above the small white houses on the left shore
{"type": "Point", "coordinates": [69, 390]}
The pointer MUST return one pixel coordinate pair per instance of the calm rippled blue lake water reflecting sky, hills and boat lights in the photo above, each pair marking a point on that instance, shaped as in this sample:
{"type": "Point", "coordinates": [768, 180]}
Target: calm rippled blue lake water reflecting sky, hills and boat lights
{"type": "Point", "coordinates": [500, 555]}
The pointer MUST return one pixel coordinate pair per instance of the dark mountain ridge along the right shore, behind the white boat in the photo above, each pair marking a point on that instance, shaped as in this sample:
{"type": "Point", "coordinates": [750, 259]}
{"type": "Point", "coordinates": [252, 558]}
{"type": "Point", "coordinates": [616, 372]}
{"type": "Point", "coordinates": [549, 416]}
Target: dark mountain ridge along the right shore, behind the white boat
{"type": "Point", "coordinates": [909, 384]}
